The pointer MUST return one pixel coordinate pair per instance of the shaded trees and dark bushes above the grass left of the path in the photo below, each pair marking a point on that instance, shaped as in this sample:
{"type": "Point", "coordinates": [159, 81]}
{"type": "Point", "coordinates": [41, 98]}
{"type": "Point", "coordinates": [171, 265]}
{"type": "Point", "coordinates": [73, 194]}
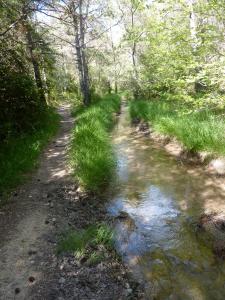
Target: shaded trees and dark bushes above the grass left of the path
{"type": "Point", "coordinates": [24, 53]}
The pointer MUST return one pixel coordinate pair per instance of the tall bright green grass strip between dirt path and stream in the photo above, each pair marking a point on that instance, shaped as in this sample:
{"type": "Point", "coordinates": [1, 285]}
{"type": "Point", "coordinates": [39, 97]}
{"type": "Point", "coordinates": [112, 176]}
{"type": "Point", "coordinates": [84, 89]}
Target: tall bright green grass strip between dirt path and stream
{"type": "Point", "coordinates": [91, 153]}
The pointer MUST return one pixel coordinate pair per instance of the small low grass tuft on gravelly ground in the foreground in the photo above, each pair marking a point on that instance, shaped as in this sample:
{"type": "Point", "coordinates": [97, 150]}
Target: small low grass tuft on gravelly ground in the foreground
{"type": "Point", "coordinates": [90, 243]}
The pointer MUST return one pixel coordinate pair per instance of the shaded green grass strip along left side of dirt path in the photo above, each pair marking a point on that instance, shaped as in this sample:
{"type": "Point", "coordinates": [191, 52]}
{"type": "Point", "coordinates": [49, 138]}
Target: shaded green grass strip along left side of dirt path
{"type": "Point", "coordinates": [20, 154]}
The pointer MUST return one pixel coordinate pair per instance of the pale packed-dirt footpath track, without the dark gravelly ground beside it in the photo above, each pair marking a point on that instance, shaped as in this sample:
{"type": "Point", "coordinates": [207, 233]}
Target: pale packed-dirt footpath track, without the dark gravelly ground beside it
{"type": "Point", "coordinates": [23, 225]}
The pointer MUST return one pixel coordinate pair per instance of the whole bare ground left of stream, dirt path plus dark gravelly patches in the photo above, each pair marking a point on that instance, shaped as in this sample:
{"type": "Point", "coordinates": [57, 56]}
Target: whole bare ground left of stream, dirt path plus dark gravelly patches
{"type": "Point", "coordinates": [31, 224]}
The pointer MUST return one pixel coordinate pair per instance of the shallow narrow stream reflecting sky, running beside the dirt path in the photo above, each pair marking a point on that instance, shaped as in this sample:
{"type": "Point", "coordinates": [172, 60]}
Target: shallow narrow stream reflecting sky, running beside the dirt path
{"type": "Point", "coordinates": [159, 201]}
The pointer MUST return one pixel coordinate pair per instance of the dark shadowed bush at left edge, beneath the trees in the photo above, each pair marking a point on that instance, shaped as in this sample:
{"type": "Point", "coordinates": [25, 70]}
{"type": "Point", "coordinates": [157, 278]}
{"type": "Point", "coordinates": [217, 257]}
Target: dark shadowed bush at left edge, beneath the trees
{"type": "Point", "coordinates": [20, 106]}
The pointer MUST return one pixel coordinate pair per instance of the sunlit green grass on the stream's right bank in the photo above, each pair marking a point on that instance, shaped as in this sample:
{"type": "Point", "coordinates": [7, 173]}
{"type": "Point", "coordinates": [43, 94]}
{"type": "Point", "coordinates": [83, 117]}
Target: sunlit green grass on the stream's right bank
{"type": "Point", "coordinates": [199, 130]}
